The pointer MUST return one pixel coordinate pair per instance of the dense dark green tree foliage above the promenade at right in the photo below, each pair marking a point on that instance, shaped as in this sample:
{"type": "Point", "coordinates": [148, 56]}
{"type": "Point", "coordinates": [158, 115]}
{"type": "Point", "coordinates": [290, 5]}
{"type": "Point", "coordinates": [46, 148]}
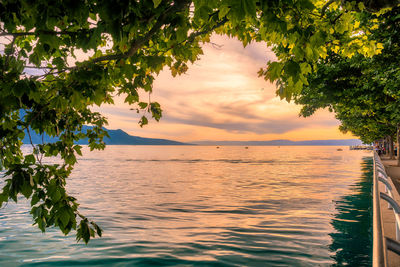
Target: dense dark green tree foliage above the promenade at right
{"type": "Point", "coordinates": [363, 92]}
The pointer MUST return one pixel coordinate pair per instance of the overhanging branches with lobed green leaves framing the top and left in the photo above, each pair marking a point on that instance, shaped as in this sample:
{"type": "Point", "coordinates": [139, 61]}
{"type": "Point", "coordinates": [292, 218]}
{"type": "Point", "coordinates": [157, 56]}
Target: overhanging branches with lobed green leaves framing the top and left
{"type": "Point", "coordinates": [62, 57]}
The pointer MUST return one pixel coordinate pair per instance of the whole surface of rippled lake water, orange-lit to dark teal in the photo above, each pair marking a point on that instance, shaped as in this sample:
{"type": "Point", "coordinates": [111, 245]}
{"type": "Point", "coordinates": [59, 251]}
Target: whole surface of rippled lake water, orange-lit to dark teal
{"type": "Point", "coordinates": [262, 206]}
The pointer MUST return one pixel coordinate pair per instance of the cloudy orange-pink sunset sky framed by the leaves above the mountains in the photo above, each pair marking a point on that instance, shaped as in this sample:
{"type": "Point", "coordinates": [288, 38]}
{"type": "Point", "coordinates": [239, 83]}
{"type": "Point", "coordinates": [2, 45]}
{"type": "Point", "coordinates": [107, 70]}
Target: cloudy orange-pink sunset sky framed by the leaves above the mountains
{"type": "Point", "coordinates": [220, 98]}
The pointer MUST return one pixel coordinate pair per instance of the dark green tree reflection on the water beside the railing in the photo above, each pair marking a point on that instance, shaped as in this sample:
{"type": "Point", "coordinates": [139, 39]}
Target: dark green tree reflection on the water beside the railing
{"type": "Point", "coordinates": [352, 243]}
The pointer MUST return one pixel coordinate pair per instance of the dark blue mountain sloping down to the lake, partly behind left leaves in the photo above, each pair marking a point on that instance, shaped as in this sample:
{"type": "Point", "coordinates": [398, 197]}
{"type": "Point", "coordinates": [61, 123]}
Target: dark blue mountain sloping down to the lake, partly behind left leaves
{"type": "Point", "coordinates": [117, 137]}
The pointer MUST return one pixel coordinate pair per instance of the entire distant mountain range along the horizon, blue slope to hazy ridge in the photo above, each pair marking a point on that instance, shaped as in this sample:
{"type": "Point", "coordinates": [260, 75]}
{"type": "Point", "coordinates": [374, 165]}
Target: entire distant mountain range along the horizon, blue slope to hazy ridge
{"type": "Point", "coordinates": [119, 137]}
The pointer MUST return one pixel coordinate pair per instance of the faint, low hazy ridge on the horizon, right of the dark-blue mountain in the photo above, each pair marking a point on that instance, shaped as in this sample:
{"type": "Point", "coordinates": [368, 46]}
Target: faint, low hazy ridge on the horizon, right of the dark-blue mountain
{"type": "Point", "coordinates": [338, 142]}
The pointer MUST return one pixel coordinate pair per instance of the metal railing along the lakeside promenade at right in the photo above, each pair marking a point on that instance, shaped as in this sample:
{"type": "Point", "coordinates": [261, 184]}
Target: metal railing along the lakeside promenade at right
{"type": "Point", "coordinates": [381, 243]}
